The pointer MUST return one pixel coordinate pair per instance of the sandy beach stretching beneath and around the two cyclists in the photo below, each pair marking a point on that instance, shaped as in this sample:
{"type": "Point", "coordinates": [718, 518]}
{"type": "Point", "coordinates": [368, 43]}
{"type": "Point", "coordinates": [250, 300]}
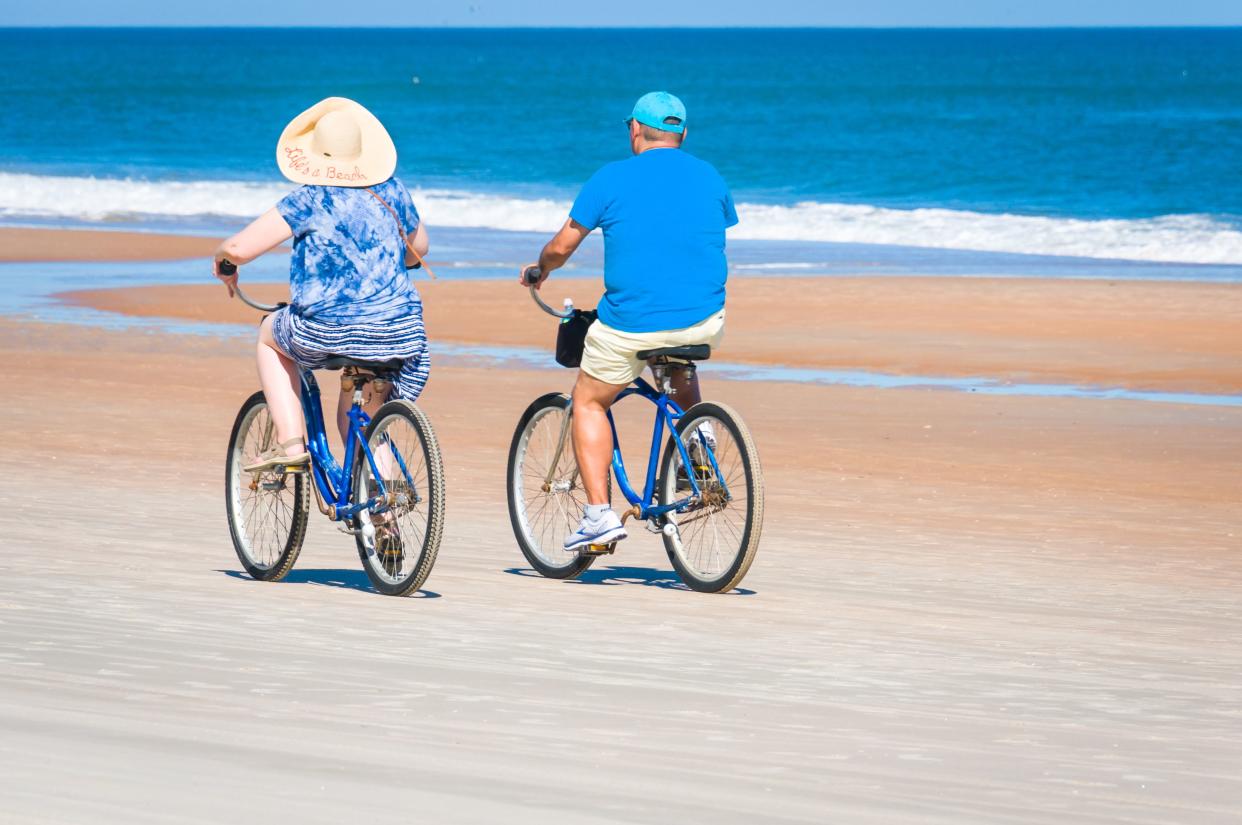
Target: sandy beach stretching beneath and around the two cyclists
{"type": "Point", "coordinates": [966, 608]}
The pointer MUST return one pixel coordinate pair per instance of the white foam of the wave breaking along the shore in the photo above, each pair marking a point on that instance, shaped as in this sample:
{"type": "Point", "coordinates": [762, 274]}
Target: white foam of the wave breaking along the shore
{"type": "Point", "coordinates": [1187, 239]}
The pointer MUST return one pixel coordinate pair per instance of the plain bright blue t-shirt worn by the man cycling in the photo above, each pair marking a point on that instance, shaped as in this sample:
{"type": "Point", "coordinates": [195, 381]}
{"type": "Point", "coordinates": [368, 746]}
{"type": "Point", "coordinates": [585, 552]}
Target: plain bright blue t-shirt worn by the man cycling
{"type": "Point", "coordinates": [664, 216]}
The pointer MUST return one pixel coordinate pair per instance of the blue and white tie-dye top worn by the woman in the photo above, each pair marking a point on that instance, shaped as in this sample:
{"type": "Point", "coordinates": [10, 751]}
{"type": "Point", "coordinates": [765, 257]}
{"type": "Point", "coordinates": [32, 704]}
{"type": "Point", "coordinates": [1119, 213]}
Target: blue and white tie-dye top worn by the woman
{"type": "Point", "coordinates": [348, 263]}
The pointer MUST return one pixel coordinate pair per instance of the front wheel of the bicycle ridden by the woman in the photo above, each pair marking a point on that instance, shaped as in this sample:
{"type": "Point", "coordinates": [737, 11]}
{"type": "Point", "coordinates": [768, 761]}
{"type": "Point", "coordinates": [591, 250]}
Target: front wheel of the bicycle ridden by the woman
{"type": "Point", "coordinates": [268, 510]}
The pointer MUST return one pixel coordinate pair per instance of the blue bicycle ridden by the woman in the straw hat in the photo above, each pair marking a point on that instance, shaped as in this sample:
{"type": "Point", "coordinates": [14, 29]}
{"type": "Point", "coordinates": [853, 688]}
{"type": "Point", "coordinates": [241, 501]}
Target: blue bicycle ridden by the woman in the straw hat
{"type": "Point", "coordinates": [389, 491]}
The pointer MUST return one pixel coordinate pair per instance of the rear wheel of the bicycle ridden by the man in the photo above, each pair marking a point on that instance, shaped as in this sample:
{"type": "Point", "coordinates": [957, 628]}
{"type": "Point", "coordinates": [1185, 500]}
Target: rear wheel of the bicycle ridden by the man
{"type": "Point", "coordinates": [714, 541]}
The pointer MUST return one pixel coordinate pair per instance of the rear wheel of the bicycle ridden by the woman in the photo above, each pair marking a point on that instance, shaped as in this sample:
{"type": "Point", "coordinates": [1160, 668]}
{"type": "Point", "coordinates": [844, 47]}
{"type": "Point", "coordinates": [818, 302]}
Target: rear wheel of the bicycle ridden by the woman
{"type": "Point", "coordinates": [409, 529]}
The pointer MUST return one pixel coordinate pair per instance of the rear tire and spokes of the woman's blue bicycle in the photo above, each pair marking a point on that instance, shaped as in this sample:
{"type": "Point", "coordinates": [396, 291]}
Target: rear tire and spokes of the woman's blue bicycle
{"type": "Point", "coordinates": [425, 525]}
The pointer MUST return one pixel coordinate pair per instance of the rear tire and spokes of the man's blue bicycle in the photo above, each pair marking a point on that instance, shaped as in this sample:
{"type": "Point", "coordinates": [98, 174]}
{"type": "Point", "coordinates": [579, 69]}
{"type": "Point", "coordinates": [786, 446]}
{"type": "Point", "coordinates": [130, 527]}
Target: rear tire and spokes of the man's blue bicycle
{"type": "Point", "coordinates": [745, 534]}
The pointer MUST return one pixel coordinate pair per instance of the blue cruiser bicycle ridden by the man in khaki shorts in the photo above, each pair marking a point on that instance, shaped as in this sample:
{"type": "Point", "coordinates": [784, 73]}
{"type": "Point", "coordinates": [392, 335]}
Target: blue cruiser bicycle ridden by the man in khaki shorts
{"type": "Point", "coordinates": [705, 494]}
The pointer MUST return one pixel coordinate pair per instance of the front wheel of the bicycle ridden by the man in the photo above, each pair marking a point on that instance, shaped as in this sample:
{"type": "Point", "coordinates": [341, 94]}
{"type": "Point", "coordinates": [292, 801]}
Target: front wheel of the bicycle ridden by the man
{"type": "Point", "coordinates": [542, 513]}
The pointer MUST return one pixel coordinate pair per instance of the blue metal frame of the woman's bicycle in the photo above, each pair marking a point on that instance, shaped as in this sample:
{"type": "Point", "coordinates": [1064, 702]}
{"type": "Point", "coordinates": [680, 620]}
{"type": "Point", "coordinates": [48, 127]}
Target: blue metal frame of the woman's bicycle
{"type": "Point", "coordinates": [332, 480]}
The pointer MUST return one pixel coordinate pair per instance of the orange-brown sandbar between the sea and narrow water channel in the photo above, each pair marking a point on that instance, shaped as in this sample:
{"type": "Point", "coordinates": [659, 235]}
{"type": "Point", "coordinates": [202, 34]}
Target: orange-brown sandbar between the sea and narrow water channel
{"type": "Point", "coordinates": [1147, 336]}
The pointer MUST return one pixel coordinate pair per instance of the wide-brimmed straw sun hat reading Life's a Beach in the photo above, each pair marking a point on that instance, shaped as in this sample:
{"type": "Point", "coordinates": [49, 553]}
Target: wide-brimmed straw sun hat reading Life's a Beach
{"type": "Point", "coordinates": [336, 144]}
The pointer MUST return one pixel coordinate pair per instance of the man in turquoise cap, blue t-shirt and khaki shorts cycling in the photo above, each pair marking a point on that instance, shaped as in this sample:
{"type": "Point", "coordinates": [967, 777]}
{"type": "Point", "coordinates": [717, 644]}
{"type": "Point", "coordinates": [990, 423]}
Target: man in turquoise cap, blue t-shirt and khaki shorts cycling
{"type": "Point", "coordinates": [664, 214]}
